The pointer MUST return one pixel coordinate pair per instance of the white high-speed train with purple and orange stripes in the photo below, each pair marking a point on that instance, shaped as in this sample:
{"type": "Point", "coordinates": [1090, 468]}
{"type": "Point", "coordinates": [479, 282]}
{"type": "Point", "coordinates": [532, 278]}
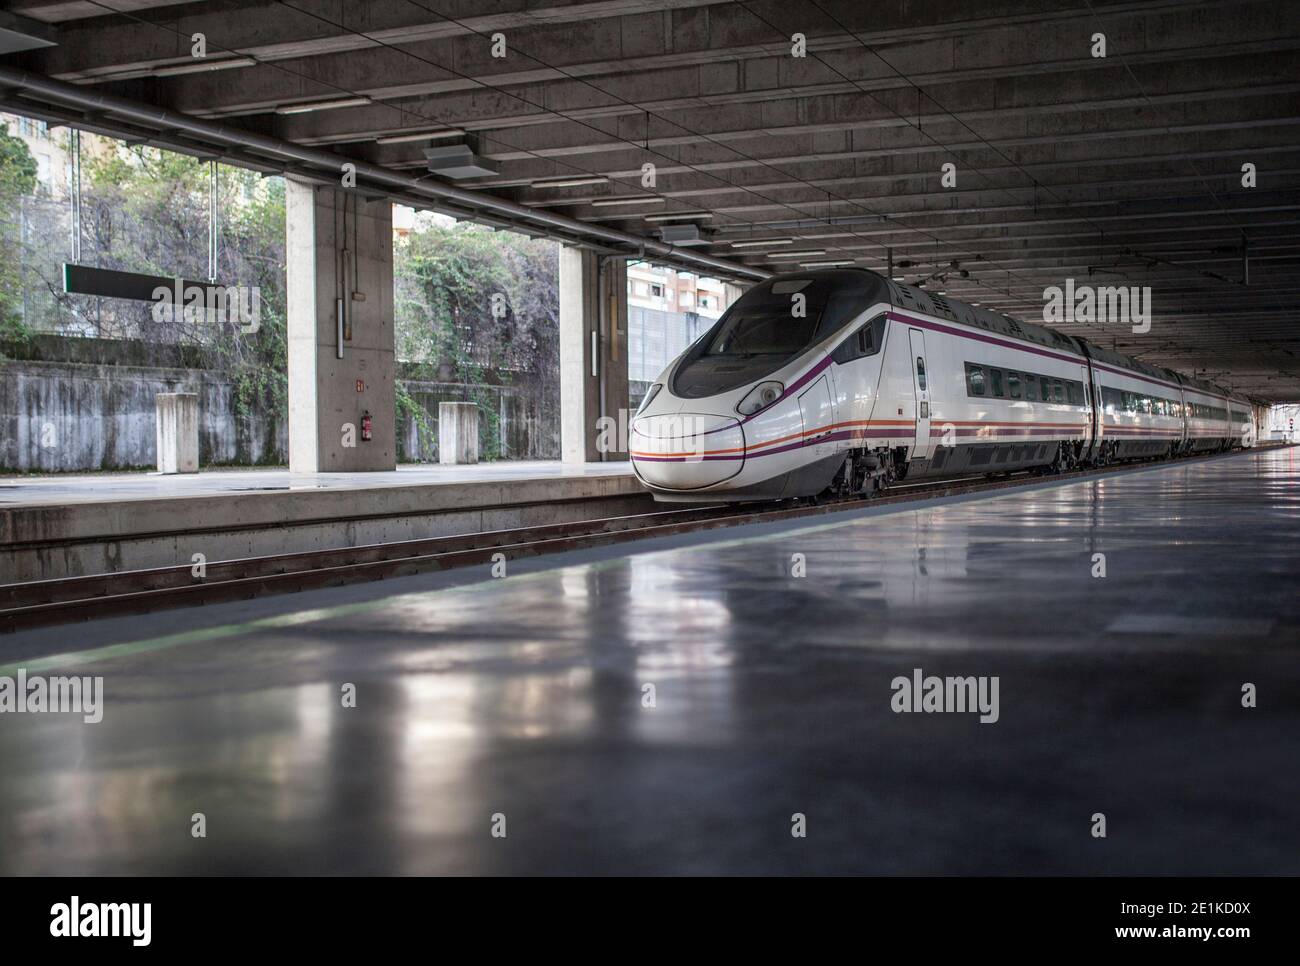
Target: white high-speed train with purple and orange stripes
{"type": "Point", "coordinates": [843, 382]}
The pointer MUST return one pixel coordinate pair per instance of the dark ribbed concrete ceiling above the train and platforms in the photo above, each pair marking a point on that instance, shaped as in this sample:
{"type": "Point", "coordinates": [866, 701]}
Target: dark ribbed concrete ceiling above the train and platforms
{"type": "Point", "coordinates": [1124, 170]}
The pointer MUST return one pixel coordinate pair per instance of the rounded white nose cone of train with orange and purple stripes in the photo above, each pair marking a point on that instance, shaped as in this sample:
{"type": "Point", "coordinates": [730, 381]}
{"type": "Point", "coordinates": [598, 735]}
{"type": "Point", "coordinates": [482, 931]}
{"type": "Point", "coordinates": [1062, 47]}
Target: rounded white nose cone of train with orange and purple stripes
{"type": "Point", "coordinates": [687, 450]}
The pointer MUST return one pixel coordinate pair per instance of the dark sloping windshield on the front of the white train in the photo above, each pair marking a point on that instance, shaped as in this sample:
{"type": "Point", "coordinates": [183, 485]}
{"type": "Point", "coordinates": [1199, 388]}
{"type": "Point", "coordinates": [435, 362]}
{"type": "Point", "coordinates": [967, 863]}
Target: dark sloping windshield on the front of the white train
{"type": "Point", "coordinates": [768, 327]}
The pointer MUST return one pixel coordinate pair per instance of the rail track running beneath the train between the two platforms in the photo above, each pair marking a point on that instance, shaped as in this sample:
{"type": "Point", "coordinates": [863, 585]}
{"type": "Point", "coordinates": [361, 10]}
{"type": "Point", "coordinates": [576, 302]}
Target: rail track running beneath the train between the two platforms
{"type": "Point", "coordinates": [37, 604]}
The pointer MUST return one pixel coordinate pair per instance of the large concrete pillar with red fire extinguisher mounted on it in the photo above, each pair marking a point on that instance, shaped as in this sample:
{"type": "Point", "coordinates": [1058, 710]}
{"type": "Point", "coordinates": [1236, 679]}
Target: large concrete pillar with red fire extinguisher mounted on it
{"type": "Point", "coordinates": [341, 367]}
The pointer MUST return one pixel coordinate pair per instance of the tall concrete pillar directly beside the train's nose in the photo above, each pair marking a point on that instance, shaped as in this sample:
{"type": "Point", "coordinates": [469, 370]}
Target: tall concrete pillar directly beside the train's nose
{"type": "Point", "coordinates": [593, 357]}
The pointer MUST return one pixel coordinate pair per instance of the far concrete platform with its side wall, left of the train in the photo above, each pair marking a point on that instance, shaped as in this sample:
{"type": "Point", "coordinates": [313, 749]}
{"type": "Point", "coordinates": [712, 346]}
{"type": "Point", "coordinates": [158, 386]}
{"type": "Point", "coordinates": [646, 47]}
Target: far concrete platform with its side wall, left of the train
{"type": "Point", "coordinates": [72, 526]}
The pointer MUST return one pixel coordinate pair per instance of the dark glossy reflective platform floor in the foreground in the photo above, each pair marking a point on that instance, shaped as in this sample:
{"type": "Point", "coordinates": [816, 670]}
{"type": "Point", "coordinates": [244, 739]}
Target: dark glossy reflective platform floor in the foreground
{"type": "Point", "coordinates": [523, 700]}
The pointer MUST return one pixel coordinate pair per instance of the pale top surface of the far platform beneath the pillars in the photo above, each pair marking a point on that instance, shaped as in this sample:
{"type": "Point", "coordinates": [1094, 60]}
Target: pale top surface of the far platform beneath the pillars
{"type": "Point", "coordinates": [98, 488]}
